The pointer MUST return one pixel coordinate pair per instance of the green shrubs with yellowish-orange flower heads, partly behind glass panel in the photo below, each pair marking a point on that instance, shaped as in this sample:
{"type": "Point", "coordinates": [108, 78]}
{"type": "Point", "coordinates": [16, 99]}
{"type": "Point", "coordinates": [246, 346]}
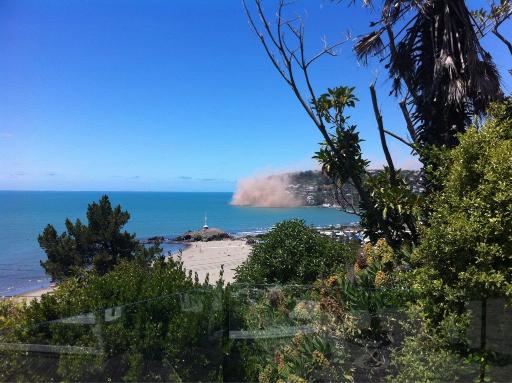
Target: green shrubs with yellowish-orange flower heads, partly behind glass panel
{"type": "Point", "coordinates": [320, 332]}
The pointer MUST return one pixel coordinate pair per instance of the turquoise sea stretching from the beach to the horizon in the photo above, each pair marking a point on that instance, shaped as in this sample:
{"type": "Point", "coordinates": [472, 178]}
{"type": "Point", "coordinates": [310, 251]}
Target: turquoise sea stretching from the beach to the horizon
{"type": "Point", "coordinates": [23, 215]}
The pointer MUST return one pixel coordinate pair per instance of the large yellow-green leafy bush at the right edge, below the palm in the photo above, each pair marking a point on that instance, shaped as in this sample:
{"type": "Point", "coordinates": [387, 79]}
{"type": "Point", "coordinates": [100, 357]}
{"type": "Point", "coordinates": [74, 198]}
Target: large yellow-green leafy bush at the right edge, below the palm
{"type": "Point", "coordinates": [466, 251]}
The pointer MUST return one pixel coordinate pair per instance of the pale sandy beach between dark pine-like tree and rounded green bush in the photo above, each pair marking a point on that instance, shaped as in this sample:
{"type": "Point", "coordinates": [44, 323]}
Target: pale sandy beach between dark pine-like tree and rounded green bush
{"type": "Point", "coordinates": [207, 258]}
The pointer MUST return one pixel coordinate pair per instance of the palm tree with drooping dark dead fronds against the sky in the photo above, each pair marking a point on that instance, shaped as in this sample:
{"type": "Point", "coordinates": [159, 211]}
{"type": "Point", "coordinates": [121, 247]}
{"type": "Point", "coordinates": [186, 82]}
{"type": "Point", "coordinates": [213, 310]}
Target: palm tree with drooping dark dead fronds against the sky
{"type": "Point", "coordinates": [433, 49]}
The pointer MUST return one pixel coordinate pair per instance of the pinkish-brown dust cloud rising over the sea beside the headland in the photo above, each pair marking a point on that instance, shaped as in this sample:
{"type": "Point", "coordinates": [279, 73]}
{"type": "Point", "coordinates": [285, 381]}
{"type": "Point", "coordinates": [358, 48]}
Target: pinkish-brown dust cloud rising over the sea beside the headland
{"type": "Point", "coordinates": [265, 191]}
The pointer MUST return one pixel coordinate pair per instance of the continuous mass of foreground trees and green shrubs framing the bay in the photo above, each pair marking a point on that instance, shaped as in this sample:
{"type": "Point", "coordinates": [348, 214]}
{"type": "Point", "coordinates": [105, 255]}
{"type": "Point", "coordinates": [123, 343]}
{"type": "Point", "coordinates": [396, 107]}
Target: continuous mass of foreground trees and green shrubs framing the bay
{"type": "Point", "coordinates": [426, 300]}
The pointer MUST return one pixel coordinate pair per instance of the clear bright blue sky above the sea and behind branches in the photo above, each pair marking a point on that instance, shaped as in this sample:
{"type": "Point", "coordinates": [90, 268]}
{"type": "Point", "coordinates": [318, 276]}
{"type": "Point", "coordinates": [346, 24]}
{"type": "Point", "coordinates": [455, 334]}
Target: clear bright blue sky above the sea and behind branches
{"type": "Point", "coordinates": [167, 95]}
